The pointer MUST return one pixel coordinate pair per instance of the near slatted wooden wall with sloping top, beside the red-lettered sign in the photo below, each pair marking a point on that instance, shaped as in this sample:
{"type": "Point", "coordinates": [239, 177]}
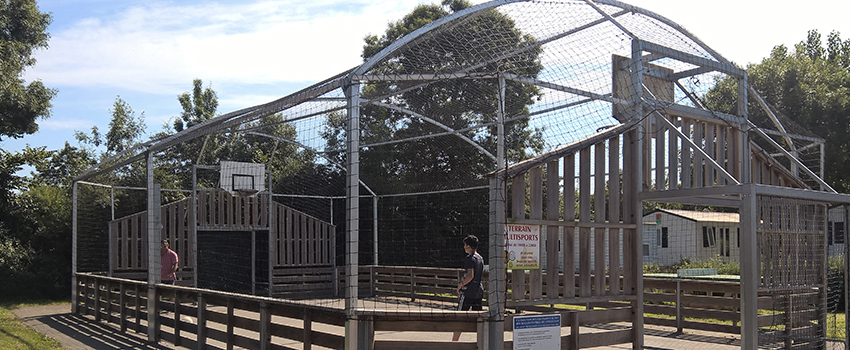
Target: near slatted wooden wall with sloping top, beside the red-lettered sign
{"type": "Point", "coordinates": [597, 228]}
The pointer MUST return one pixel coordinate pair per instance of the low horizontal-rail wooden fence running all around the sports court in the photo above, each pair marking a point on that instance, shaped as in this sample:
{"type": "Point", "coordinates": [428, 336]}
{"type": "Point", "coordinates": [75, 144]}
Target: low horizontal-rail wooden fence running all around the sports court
{"type": "Point", "coordinates": [680, 303]}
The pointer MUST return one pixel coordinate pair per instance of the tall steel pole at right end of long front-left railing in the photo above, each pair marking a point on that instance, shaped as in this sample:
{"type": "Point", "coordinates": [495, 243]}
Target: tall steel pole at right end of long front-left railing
{"type": "Point", "coordinates": [352, 214]}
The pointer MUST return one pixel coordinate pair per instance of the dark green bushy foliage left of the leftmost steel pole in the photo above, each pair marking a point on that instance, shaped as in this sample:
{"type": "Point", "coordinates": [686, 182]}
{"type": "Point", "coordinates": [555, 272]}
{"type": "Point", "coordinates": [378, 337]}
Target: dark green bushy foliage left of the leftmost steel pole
{"type": "Point", "coordinates": [35, 225]}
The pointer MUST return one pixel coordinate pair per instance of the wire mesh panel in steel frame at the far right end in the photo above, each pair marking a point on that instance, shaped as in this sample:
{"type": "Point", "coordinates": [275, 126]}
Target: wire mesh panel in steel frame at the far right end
{"type": "Point", "coordinates": [793, 258]}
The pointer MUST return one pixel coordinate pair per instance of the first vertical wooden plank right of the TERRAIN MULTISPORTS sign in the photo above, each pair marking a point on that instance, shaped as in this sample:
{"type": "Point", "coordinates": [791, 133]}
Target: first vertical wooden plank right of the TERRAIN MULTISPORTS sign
{"type": "Point", "coordinates": [553, 212]}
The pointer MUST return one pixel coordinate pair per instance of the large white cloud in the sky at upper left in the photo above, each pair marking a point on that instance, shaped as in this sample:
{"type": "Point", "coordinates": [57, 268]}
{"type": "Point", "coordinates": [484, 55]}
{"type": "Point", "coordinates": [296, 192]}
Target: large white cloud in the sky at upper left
{"type": "Point", "coordinates": [158, 48]}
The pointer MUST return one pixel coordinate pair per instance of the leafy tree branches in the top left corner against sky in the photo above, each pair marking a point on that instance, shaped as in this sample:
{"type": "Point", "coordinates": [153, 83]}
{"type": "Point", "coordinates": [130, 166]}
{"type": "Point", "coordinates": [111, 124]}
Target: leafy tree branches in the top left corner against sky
{"type": "Point", "coordinates": [23, 29]}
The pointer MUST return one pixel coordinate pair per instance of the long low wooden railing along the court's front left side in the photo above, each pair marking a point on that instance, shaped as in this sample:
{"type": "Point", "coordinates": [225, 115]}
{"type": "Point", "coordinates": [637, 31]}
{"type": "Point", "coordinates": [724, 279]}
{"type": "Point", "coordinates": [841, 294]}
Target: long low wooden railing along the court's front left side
{"type": "Point", "coordinates": [200, 318]}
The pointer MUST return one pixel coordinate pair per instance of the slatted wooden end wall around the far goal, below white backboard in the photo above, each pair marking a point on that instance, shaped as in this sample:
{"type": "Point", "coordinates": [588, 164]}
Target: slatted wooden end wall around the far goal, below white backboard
{"type": "Point", "coordinates": [298, 240]}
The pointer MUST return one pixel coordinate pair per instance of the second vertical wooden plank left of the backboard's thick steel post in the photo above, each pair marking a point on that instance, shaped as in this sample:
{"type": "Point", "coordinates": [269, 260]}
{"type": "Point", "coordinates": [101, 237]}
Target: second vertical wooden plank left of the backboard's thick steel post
{"type": "Point", "coordinates": [614, 215]}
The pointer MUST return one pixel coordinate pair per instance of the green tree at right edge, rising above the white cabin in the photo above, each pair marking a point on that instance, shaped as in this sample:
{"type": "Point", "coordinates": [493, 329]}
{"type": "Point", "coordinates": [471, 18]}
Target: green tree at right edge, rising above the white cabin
{"type": "Point", "coordinates": [811, 86]}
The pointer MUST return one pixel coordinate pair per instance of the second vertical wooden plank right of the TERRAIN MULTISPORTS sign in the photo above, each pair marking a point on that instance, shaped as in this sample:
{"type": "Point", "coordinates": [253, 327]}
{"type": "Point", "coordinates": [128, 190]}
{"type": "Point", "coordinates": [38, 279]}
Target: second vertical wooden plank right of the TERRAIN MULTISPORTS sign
{"type": "Point", "coordinates": [569, 232]}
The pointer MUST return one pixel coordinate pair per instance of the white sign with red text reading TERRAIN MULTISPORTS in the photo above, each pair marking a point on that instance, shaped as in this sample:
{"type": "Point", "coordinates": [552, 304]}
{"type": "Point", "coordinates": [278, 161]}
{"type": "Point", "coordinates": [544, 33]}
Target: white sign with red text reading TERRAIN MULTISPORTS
{"type": "Point", "coordinates": [523, 246]}
